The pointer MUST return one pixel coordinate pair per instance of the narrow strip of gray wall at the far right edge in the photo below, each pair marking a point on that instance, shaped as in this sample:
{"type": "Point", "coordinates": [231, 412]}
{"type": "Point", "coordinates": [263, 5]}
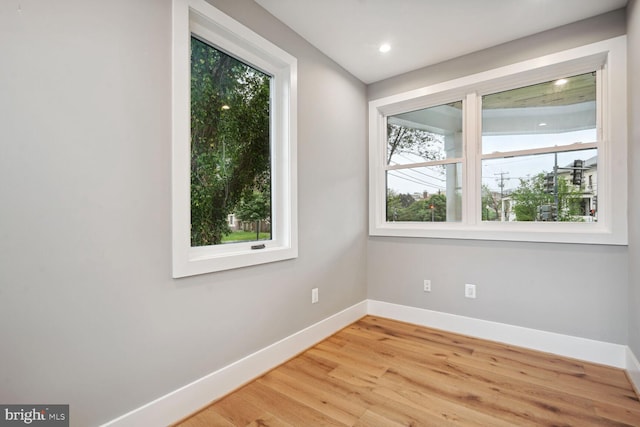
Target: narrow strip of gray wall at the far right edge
{"type": "Point", "coordinates": [633, 32]}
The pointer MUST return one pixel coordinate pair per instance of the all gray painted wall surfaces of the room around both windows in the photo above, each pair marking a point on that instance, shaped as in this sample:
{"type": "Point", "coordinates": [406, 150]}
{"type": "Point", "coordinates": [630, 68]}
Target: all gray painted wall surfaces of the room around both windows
{"type": "Point", "coordinates": [88, 312]}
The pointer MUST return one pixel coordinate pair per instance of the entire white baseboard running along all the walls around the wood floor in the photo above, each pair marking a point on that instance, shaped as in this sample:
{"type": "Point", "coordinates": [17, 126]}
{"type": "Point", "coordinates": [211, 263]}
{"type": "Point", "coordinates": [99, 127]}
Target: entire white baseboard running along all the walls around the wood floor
{"type": "Point", "coordinates": [192, 397]}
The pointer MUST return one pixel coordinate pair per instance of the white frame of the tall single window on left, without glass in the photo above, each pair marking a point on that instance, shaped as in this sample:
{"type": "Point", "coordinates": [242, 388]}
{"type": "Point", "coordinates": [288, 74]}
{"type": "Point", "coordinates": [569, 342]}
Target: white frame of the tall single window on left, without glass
{"type": "Point", "coordinates": [210, 24]}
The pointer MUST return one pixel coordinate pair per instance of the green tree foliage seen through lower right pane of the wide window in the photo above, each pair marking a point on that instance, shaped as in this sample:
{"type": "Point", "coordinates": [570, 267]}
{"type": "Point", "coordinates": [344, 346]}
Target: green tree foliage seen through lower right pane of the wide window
{"type": "Point", "coordinates": [530, 199]}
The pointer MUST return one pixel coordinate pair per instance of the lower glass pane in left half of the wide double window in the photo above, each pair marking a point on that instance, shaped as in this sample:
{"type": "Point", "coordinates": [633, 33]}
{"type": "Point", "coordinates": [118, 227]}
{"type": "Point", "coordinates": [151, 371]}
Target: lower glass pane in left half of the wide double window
{"type": "Point", "coordinates": [425, 193]}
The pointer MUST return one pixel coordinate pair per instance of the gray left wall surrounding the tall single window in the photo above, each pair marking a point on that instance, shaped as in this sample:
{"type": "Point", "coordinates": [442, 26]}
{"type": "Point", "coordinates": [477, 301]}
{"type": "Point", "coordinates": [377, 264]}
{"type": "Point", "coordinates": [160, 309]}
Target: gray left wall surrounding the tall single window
{"type": "Point", "coordinates": [89, 314]}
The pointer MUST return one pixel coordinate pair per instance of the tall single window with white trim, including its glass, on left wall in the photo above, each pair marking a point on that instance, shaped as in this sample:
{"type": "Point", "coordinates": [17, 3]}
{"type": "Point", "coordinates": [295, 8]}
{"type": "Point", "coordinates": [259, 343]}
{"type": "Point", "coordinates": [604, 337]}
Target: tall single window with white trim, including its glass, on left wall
{"type": "Point", "coordinates": [233, 144]}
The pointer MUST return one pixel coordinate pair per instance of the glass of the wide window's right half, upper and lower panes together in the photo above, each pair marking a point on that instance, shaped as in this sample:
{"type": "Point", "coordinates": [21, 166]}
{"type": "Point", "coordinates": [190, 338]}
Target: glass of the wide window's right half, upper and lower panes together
{"type": "Point", "coordinates": [538, 142]}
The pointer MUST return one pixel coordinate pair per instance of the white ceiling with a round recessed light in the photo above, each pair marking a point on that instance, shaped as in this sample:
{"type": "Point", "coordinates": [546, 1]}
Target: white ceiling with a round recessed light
{"type": "Point", "coordinates": [421, 32]}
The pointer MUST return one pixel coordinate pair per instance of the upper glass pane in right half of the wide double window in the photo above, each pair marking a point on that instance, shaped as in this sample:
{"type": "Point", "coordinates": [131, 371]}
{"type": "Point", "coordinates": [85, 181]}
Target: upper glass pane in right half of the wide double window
{"type": "Point", "coordinates": [554, 113]}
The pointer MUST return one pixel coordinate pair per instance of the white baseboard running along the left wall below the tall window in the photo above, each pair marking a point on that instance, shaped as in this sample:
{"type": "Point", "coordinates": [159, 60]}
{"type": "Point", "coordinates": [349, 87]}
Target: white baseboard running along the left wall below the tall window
{"type": "Point", "coordinates": [192, 397]}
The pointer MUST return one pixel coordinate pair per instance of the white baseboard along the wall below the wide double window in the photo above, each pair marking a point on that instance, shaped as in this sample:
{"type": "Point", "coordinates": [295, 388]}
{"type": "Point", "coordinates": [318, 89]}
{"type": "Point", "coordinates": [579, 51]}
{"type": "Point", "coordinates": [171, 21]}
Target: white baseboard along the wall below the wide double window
{"type": "Point", "coordinates": [563, 345]}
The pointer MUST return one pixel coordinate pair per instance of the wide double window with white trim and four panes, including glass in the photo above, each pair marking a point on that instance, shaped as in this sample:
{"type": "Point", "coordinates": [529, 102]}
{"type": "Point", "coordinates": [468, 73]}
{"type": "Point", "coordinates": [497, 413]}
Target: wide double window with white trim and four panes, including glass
{"type": "Point", "coordinates": [534, 151]}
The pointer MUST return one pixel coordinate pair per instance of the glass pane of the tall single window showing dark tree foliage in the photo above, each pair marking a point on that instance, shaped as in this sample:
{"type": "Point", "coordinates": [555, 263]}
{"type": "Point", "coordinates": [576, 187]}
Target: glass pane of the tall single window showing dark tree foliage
{"type": "Point", "coordinates": [230, 149]}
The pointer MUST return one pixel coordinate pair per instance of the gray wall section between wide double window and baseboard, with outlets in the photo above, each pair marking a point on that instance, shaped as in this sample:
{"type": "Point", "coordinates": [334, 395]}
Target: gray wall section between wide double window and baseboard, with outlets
{"type": "Point", "coordinates": [568, 289]}
